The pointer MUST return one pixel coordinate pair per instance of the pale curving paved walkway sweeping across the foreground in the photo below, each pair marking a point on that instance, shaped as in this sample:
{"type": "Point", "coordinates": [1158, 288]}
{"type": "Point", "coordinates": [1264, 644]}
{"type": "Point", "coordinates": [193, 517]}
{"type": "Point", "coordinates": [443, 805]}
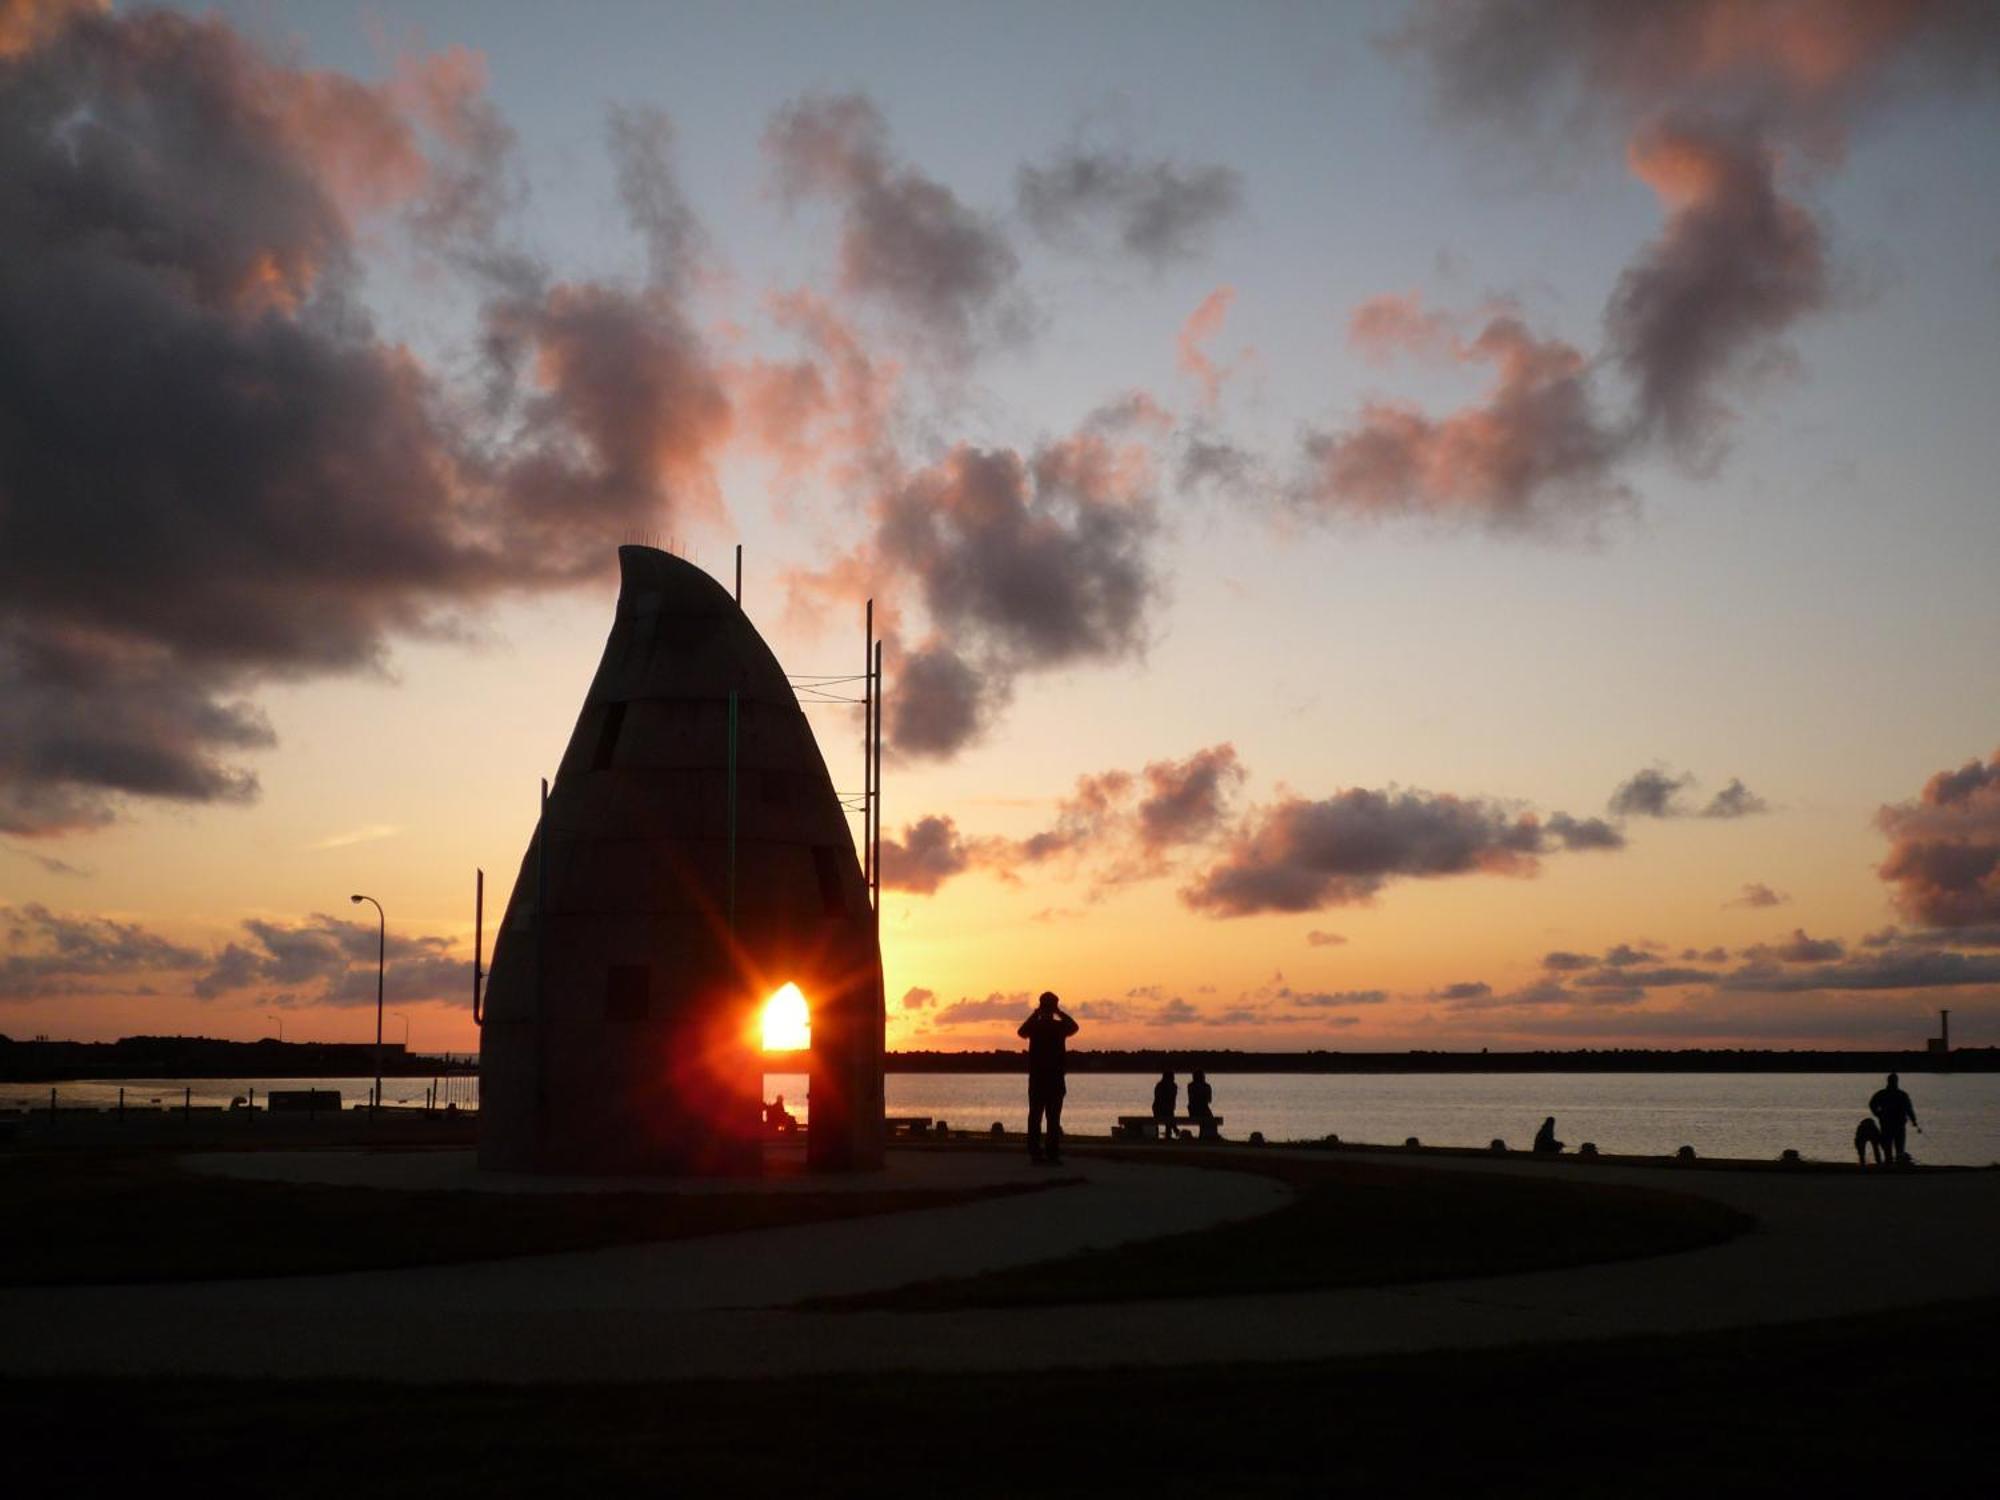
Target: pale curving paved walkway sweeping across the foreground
{"type": "Point", "coordinates": [1829, 1245]}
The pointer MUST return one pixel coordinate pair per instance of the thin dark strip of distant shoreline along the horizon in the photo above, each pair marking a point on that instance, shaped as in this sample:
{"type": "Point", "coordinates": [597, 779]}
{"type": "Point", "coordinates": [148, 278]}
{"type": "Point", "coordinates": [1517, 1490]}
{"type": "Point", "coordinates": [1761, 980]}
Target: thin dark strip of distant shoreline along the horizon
{"type": "Point", "coordinates": [199, 1057]}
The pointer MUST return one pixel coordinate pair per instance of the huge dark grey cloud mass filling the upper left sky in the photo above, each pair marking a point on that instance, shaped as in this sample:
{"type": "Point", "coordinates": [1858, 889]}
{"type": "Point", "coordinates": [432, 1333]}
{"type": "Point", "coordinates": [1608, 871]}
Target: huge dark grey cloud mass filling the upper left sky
{"type": "Point", "coordinates": [217, 473]}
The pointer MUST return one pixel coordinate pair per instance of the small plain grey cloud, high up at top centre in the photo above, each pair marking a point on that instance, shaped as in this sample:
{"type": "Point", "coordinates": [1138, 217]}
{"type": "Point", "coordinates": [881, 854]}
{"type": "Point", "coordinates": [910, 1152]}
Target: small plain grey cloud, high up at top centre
{"type": "Point", "coordinates": [1155, 211]}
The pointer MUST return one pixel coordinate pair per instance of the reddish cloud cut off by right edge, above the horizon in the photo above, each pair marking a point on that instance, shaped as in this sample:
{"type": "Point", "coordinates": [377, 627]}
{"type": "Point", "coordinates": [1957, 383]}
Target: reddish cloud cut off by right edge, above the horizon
{"type": "Point", "coordinates": [1945, 849]}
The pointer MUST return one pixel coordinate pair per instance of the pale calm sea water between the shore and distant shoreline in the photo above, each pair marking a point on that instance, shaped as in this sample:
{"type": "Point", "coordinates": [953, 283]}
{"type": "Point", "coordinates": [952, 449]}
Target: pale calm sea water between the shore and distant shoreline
{"type": "Point", "coordinates": [1719, 1115]}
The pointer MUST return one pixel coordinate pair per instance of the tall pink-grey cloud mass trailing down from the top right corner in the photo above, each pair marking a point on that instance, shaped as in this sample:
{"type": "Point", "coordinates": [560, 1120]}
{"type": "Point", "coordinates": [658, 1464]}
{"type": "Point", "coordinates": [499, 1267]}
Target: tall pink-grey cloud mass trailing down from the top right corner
{"type": "Point", "coordinates": [1717, 101]}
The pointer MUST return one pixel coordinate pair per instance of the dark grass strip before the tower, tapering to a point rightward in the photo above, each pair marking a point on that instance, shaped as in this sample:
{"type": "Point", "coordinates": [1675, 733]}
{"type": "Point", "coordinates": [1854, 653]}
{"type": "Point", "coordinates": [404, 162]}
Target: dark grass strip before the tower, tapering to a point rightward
{"type": "Point", "coordinates": [83, 1217]}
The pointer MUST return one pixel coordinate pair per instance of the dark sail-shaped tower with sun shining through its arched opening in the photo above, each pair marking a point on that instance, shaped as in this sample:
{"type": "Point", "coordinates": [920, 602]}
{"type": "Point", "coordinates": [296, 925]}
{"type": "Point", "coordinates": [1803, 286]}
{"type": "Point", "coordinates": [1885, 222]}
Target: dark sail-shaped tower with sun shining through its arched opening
{"type": "Point", "coordinates": [691, 861]}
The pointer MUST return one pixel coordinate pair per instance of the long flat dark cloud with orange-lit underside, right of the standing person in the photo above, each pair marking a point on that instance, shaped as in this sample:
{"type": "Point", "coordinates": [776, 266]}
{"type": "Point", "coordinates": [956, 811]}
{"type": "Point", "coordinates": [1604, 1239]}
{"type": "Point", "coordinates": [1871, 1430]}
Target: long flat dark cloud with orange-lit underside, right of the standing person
{"type": "Point", "coordinates": [1301, 855]}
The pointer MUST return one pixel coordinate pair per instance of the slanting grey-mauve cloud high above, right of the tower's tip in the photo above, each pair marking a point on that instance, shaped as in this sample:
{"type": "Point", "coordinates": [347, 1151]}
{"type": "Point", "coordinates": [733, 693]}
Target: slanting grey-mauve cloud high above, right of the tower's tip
{"type": "Point", "coordinates": [907, 241]}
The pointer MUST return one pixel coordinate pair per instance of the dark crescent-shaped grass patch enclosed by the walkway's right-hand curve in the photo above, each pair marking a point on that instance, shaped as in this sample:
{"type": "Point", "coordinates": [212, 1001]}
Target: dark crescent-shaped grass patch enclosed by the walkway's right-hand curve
{"type": "Point", "coordinates": [1355, 1223]}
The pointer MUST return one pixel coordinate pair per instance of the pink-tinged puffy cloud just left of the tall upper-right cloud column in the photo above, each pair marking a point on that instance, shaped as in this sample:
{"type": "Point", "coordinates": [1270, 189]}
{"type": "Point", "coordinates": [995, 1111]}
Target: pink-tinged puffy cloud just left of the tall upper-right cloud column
{"type": "Point", "coordinates": [1531, 457]}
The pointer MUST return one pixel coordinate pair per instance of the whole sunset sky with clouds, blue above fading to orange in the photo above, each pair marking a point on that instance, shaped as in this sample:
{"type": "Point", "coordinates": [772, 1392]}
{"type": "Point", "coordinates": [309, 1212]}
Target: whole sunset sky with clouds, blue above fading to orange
{"type": "Point", "coordinates": [1425, 525]}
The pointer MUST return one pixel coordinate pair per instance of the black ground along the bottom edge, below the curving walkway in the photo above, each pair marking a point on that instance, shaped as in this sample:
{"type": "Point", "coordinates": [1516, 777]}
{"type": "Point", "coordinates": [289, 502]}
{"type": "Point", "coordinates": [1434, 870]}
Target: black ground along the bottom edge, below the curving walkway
{"type": "Point", "coordinates": [1857, 1407]}
